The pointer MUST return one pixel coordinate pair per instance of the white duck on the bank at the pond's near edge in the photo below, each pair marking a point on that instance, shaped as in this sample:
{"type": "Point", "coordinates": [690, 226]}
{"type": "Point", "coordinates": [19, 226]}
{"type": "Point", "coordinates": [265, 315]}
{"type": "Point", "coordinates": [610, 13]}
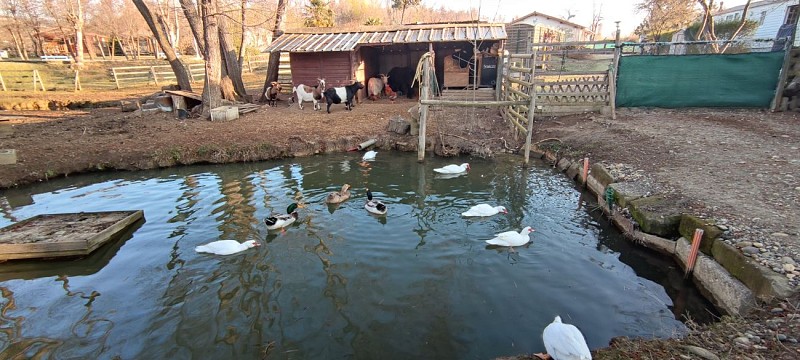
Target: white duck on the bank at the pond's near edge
{"type": "Point", "coordinates": [565, 342]}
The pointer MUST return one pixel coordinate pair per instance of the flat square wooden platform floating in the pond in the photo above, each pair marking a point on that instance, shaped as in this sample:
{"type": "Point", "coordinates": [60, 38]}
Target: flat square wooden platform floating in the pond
{"type": "Point", "coordinates": [57, 235]}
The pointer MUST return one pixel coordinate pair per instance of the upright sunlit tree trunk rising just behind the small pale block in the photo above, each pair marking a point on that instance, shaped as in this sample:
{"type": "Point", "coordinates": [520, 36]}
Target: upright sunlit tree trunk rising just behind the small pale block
{"type": "Point", "coordinates": [212, 95]}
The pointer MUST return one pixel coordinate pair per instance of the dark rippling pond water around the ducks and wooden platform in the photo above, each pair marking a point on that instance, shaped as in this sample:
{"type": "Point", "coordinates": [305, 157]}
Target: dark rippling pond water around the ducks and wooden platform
{"type": "Point", "coordinates": [417, 282]}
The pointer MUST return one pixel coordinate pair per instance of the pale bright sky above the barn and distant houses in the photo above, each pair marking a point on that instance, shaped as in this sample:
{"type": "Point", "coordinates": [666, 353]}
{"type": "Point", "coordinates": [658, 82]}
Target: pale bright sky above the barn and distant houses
{"type": "Point", "coordinates": [612, 10]}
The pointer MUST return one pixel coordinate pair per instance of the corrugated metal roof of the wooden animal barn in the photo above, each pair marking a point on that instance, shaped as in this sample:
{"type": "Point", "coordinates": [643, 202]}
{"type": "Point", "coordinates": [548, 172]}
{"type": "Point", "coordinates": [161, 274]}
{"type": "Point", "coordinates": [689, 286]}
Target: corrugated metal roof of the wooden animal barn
{"type": "Point", "coordinates": [321, 40]}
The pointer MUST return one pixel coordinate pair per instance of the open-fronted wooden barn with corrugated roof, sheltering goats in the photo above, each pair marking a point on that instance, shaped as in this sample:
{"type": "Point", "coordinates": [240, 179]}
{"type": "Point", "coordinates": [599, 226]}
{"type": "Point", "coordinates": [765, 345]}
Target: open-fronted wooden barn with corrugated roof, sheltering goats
{"type": "Point", "coordinates": [341, 55]}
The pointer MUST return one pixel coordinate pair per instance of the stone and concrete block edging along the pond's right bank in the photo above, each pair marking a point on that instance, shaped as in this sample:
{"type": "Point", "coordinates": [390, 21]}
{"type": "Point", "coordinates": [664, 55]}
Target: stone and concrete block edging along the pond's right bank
{"type": "Point", "coordinates": [724, 274]}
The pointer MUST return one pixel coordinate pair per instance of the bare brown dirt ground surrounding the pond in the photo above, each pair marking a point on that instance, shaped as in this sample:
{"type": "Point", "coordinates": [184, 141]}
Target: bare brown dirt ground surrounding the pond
{"type": "Point", "coordinates": [739, 167]}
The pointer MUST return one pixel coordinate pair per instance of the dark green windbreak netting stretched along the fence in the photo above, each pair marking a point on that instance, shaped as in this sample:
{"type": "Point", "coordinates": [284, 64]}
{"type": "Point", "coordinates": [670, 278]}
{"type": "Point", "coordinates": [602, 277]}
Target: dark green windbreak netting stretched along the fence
{"type": "Point", "coordinates": [735, 80]}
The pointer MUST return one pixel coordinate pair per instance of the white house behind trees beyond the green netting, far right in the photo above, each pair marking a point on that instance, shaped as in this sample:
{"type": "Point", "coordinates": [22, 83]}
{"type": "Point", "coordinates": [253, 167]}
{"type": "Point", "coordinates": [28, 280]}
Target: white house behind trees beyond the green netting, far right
{"type": "Point", "coordinates": [770, 15]}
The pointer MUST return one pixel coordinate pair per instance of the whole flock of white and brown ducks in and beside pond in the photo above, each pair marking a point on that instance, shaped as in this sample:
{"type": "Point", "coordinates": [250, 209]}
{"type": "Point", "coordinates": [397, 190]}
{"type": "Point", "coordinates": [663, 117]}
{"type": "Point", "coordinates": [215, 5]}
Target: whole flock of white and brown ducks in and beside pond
{"type": "Point", "coordinates": [562, 341]}
